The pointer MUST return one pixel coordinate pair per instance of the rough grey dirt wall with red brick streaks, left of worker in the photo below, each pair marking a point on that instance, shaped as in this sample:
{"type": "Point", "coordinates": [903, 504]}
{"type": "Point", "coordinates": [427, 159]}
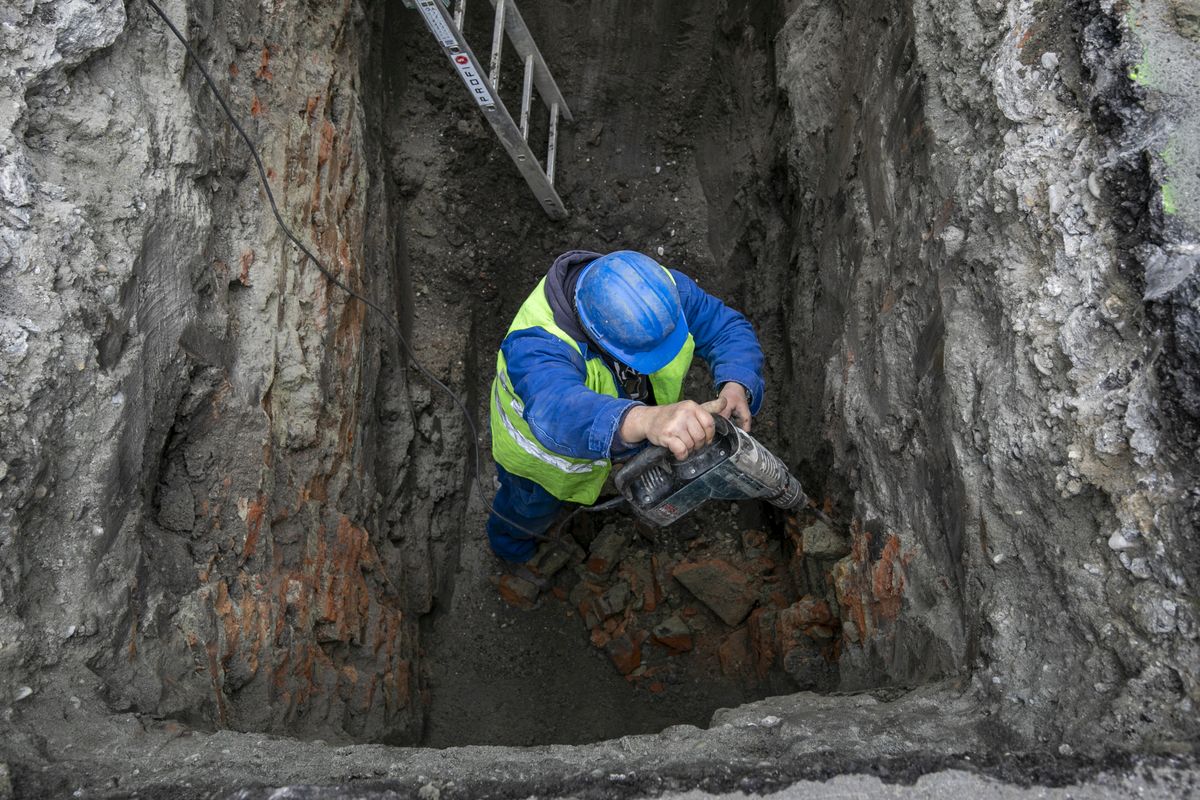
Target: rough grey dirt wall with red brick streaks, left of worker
{"type": "Point", "coordinates": [191, 506]}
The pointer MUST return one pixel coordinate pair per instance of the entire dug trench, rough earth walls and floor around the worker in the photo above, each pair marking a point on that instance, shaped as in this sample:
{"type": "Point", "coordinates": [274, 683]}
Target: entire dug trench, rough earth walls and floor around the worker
{"type": "Point", "coordinates": [241, 526]}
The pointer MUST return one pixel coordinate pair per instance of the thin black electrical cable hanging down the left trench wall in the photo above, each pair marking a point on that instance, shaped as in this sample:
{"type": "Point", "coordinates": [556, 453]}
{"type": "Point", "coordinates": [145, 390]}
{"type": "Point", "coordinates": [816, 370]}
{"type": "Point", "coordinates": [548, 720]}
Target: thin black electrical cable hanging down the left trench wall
{"type": "Point", "coordinates": [333, 279]}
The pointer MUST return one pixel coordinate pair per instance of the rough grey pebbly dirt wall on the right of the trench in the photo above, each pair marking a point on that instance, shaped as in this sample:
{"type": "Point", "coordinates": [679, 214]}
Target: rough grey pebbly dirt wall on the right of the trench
{"type": "Point", "coordinates": [959, 234]}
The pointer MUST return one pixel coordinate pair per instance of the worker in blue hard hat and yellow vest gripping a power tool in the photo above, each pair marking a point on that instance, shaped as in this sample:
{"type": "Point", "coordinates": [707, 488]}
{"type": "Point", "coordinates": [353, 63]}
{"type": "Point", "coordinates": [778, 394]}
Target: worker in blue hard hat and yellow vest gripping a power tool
{"type": "Point", "coordinates": [591, 370]}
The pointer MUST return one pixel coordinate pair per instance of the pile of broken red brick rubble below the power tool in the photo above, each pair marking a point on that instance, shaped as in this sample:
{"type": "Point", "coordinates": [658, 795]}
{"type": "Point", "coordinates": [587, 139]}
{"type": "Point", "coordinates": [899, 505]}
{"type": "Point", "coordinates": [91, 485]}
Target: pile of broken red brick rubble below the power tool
{"type": "Point", "coordinates": [752, 605]}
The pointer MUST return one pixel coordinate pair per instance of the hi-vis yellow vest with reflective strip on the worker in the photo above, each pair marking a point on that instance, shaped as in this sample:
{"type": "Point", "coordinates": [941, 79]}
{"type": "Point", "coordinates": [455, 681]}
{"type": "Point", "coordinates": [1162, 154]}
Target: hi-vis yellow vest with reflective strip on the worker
{"type": "Point", "coordinates": [514, 446]}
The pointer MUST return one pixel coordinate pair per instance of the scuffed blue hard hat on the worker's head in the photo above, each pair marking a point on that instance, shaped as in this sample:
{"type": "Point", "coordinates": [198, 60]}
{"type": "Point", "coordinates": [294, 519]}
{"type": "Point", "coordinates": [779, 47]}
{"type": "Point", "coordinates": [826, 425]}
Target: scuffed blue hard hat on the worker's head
{"type": "Point", "coordinates": [631, 308]}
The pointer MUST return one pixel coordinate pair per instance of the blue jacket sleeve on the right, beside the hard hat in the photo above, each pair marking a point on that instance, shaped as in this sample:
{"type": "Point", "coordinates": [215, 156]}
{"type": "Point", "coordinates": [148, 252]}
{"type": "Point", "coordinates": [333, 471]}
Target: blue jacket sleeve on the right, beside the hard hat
{"type": "Point", "coordinates": [724, 339]}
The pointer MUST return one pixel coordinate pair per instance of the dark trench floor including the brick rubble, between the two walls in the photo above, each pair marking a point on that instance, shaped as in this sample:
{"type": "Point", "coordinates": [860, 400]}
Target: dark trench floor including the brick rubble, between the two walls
{"type": "Point", "coordinates": [655, 103]}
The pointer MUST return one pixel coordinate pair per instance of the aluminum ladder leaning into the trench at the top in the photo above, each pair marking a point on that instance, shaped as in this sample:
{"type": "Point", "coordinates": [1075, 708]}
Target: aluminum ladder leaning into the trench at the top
{"type": "Point", "coordinates": [447, 28]}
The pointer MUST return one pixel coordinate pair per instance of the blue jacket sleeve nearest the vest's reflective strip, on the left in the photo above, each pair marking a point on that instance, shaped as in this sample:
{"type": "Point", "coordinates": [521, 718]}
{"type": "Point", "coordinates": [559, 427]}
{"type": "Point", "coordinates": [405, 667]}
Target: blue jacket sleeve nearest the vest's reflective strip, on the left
{"type": "Point", "coordinates": [565, 416]}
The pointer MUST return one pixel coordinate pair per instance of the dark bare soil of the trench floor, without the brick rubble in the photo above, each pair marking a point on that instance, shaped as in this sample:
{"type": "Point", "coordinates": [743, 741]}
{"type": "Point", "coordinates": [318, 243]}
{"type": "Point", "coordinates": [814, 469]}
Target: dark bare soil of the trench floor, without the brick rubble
{"type": "Point", "coordinates": [628, 170]}
